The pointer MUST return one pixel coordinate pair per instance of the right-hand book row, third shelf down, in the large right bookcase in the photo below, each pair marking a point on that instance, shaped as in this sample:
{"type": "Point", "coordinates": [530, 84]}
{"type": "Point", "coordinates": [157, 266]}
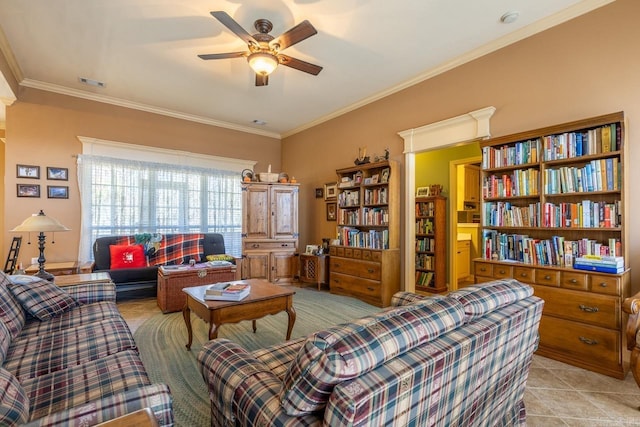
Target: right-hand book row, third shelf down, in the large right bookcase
{"type": "Point", "coordinates": [585, 214]}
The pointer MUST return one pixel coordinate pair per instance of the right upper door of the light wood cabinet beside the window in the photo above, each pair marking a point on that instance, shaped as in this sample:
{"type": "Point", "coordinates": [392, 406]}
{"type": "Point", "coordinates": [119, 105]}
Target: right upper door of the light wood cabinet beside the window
{"type": "Point", "coordinates": [284, 212]}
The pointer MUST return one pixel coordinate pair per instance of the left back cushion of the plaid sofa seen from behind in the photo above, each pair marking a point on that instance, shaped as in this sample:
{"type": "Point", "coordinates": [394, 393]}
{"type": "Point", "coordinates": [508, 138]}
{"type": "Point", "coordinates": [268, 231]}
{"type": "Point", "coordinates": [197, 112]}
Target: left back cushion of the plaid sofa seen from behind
{"type": "Point", "coordinates": [350, 350]}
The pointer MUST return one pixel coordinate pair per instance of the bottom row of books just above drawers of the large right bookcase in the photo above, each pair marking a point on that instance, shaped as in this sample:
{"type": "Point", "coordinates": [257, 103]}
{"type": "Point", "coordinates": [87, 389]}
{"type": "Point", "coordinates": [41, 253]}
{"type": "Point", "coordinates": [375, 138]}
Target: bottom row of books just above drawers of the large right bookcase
{"type": "Point", "coordinates": [555, 251]}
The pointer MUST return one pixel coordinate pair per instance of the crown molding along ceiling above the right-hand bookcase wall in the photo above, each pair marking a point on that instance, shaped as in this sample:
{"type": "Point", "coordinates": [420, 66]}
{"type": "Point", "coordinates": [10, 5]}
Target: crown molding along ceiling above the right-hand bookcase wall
{"type": "Point", "coordinates": [508, 39]}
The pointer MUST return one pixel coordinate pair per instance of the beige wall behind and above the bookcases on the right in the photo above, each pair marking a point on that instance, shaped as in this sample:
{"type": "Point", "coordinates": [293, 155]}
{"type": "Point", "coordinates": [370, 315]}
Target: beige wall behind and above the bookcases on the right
{"type": "Point", "coordinates": [585, 67]}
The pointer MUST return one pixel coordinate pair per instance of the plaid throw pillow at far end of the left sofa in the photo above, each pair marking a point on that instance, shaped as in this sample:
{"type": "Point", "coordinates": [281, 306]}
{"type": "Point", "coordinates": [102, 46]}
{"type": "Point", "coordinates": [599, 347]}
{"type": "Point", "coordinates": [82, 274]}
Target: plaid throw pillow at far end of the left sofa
{"type": "Point", "coordinates": [42, 299]}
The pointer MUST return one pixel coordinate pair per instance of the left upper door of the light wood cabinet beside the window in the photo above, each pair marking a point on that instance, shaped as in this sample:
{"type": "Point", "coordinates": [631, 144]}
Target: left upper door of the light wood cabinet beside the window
{"type": "Point", "coordinates": [256, 210]}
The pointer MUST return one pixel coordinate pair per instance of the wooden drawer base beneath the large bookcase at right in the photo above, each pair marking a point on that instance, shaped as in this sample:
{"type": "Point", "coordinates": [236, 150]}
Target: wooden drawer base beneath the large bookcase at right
{"type": "Point", "coordinates": [582, 322]}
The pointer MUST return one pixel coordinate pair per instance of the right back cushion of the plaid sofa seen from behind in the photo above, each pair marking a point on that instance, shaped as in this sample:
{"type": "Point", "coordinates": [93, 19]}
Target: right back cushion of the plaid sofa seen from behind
{"type": "Point", "coordinates": [479, 300]}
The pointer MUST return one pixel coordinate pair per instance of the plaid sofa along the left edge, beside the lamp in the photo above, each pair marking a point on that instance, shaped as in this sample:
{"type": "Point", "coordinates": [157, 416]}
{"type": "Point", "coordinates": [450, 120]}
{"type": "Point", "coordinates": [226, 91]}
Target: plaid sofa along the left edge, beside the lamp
{"type": "Point", "coordinates": [79, 366]}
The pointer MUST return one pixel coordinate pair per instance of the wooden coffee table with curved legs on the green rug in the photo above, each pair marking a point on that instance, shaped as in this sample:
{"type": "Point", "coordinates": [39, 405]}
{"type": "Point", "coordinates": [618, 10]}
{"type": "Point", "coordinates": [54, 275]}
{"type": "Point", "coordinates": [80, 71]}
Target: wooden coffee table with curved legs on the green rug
{"type": "Point", "coordinates": [265, 298]}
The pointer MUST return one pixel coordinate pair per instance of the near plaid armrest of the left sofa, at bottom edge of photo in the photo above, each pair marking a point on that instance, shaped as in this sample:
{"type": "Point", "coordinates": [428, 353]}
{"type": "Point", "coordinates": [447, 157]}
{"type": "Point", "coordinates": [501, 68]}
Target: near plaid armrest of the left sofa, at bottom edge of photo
{"type": "Point", "coordinates": [155, 396]}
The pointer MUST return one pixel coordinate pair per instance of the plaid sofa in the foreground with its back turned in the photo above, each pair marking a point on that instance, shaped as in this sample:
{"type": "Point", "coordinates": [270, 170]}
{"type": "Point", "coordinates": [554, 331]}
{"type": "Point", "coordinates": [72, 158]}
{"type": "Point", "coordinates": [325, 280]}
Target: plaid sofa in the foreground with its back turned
{"type": "Point", "coordinates": [456, 360]}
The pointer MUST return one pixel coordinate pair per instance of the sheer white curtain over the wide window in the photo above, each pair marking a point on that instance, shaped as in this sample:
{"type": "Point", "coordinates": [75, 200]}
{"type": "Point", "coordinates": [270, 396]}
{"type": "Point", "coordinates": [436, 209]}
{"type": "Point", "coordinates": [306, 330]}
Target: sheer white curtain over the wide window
{"type": "Point", "coordinates": [123, 197]}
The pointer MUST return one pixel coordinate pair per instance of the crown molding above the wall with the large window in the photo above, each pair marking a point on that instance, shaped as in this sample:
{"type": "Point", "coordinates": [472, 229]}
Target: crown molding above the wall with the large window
{"type": "Point", "coordinates": [63, 90]}
